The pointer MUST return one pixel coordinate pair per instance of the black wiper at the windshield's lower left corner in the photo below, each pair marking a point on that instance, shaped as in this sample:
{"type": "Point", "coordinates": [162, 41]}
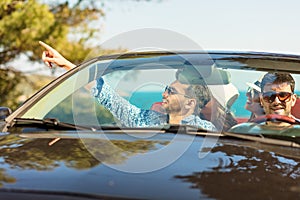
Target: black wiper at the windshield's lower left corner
{"type": "Point", "coordinates": [49, 123]}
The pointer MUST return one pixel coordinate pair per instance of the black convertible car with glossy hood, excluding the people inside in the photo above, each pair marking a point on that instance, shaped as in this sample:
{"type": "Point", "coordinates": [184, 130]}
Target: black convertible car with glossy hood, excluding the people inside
{"type": "Point", "coordinates": [63, 144]}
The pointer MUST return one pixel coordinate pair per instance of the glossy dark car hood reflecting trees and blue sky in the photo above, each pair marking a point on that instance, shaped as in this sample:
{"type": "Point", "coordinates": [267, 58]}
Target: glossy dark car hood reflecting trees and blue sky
{"type": "Point", "coordinates": [161, 166]}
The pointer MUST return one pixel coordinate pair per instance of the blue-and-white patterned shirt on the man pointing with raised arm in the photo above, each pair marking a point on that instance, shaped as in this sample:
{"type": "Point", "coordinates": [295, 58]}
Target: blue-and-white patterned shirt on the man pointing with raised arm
{"type": "Point", "coordinates": [132, 116]}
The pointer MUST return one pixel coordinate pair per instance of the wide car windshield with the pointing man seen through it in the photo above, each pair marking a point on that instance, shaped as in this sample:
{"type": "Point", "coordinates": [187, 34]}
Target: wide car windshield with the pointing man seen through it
{"type": "Point", "coordinates": [114, 91]}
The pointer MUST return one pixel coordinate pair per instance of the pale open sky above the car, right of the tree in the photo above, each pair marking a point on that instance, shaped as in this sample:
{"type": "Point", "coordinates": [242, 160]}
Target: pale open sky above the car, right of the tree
{"type": "Point", "coordinates": [256, 25]}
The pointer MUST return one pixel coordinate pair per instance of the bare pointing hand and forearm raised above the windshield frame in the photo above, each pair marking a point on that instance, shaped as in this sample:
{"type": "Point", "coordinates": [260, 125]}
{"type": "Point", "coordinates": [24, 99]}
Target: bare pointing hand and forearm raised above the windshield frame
{"type": "Point", "coordinates": [50, 56]}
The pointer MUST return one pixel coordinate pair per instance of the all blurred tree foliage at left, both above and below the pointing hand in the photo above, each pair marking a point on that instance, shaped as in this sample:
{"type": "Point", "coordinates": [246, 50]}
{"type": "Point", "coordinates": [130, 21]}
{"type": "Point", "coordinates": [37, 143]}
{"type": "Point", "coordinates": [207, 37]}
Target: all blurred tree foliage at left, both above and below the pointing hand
{"type": "Point", "coordinates": [66, 25]}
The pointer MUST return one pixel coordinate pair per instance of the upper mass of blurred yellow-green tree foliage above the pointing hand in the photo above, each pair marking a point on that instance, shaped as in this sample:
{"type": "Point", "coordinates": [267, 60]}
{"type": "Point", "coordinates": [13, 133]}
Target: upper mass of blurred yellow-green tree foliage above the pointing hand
{"type": "Point", "coordinates": [23, 23]}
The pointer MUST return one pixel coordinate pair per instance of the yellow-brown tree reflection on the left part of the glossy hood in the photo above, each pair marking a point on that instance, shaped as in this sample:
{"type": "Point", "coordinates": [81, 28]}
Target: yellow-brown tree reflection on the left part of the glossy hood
{"type": "Point", "coordinates": [76, 153]}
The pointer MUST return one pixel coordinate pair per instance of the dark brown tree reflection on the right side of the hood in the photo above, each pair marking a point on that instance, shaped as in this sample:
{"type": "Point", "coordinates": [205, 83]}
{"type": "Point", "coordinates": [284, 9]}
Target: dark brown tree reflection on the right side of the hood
{"type": "Point", "coordinates": [255, 166]}
